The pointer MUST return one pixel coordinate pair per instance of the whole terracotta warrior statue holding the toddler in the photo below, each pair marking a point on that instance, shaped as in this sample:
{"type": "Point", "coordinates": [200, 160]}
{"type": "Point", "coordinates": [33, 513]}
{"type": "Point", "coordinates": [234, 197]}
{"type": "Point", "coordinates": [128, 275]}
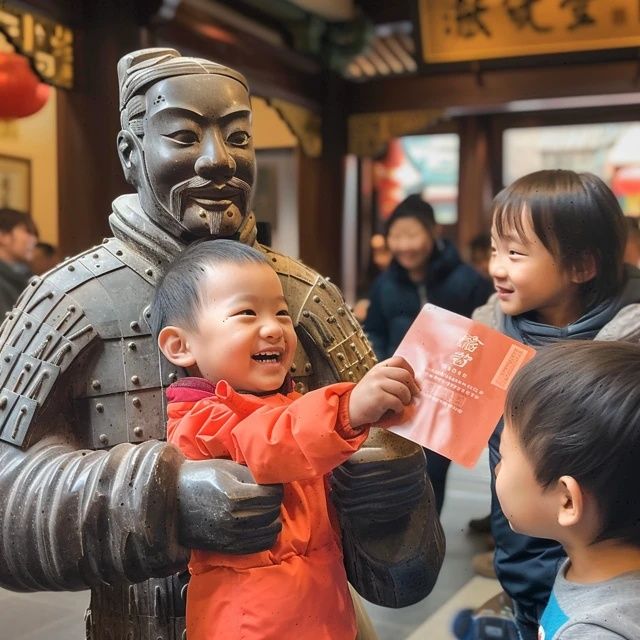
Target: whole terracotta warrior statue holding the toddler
{"type": "Point", "coordinates": [91, 495]}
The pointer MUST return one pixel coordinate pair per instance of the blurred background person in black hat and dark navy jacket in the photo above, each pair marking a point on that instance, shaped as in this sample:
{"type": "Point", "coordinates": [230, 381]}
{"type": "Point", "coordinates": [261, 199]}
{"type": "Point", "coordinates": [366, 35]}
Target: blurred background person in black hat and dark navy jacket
{"type": "Point", "coordinates": [424, 268]}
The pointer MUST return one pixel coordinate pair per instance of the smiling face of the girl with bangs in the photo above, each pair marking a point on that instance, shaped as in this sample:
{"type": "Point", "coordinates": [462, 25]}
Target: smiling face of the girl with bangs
{"type": "Point", "coordinates": [528, 278]}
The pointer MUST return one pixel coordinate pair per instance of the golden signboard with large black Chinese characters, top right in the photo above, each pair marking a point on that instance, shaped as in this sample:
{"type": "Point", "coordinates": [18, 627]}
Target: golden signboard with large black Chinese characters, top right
{"type": "Point", "coordinates": [460, 30]}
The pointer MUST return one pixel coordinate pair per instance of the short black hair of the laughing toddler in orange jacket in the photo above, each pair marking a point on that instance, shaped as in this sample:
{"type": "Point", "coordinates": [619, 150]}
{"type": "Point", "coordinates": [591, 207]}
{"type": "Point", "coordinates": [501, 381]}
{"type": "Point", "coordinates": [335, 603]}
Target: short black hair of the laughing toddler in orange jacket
{"type": "Point", "coordinates": [178, 296]}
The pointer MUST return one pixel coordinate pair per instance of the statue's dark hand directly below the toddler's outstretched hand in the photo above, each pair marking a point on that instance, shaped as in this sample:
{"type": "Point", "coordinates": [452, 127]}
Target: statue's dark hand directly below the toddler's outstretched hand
{"type": "Point", "coordinates": [383, 481]}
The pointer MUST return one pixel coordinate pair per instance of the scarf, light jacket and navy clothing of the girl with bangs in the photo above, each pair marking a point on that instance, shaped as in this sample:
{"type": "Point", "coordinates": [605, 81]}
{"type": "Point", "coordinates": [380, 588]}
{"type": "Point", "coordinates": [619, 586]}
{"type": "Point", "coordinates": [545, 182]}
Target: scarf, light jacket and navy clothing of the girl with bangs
{"type": "Point", "coordinates": [526, 566]}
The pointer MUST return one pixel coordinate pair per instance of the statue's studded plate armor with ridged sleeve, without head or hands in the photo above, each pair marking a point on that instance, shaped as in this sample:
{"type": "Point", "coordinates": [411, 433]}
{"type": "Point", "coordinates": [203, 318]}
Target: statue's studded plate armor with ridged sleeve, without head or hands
{"type": "Point", "coordinates": [83, 382]}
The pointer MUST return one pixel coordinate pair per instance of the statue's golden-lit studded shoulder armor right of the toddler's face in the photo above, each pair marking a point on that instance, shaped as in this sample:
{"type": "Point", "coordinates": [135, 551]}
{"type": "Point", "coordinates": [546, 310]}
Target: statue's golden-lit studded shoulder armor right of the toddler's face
{"type": "Point", "coordinates": [333, 344]}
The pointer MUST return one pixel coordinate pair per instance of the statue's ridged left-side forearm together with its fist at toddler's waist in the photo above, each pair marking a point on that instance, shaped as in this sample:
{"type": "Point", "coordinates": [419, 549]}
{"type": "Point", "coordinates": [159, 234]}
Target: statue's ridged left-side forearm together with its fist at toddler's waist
{"type": "Point", "coordinates": [72, 518]}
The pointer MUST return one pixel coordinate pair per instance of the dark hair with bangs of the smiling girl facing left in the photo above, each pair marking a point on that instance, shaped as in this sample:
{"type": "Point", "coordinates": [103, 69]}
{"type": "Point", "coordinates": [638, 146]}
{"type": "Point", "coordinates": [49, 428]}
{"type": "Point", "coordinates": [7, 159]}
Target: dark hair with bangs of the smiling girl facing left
{"type": "Point", "coordinates": [577, 218]}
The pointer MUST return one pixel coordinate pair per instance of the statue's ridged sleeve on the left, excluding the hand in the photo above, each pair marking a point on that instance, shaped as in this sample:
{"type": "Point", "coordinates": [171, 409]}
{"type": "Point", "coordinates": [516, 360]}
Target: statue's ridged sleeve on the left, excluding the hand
{"type": "Point", "coordinates": [74, 518]}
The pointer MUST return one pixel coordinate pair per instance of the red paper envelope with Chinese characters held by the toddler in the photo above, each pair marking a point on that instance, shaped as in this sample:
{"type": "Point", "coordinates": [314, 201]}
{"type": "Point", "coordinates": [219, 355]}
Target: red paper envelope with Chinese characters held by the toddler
{"type": "Point", "coordinates": [464, 369]}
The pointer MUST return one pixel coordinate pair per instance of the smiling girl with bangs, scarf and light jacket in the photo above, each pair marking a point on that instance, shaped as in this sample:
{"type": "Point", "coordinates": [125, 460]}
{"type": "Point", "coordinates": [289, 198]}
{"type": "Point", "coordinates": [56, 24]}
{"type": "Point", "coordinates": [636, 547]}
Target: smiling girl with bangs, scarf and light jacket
{"type": "Point", "coordinates": [558, 239]}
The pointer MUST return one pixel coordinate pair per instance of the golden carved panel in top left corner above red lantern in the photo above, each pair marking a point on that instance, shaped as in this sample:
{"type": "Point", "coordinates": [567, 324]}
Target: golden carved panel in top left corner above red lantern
{"type": "Point", "coordinates": [48, 44]}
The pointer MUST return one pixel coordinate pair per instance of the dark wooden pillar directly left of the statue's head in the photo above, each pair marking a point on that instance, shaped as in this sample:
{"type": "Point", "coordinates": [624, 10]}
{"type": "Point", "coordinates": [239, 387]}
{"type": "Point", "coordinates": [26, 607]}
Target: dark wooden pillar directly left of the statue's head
{"type": "Point", "coordinates": [89, 171]}
